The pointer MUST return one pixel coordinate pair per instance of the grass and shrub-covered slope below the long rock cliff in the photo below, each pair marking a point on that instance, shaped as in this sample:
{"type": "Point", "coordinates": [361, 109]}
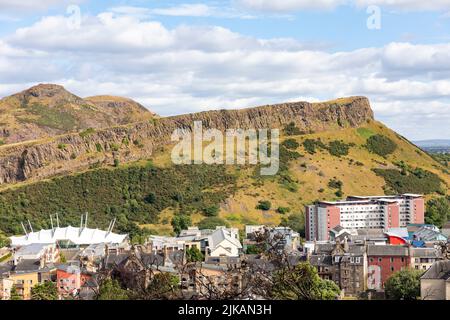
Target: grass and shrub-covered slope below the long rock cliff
{"type": "Point", "coordinates": [313, 166]}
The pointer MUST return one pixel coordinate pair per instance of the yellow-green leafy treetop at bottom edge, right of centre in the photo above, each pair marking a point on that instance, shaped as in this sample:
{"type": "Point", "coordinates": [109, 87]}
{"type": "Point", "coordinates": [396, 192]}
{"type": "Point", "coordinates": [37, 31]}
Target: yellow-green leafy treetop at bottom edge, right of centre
{"type": "Point", "coordinates": [303, 283]}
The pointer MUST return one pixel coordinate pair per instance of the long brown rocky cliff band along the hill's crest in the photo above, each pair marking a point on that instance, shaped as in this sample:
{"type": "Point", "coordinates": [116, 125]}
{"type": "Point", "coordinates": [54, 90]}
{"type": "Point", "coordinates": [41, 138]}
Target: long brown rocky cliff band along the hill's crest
{"type": "Point", "coordinates": [72, 152]}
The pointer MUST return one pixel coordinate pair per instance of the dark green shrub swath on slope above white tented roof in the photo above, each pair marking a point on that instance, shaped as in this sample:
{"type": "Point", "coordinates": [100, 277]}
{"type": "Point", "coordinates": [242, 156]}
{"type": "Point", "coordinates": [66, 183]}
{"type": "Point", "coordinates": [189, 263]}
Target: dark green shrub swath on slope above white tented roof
{"type": "Point", "coordinates": [122, 193]}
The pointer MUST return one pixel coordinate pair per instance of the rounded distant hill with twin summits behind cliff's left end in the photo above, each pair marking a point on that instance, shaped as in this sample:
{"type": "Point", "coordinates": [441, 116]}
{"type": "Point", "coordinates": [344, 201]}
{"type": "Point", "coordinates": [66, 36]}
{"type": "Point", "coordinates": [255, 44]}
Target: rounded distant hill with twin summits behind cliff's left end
{"type": "Point", "coordinates": [47, 110]}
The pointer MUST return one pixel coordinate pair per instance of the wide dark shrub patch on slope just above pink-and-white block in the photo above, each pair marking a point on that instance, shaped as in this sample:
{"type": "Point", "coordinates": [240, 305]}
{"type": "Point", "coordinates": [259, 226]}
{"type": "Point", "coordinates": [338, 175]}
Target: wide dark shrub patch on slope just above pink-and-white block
{"type": "Point", "coordinates": [413, 181]}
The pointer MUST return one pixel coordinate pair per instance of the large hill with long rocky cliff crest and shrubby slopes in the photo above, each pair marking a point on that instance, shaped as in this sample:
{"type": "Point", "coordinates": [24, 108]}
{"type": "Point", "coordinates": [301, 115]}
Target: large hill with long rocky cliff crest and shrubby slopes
{"type": "Point", "coordinates": [329, 150]}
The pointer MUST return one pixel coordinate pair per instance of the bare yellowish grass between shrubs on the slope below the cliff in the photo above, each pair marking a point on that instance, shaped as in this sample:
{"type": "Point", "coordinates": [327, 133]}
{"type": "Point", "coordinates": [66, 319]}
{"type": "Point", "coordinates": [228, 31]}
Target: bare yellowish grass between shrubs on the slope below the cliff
{"type": "Point", "coordinates": [312, 172]}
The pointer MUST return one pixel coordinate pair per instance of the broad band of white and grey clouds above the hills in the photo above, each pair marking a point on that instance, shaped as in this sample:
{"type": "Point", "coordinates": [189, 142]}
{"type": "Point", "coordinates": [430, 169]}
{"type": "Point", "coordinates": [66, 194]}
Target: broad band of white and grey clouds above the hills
{"type": "Point", "coordinates": [191, 68]}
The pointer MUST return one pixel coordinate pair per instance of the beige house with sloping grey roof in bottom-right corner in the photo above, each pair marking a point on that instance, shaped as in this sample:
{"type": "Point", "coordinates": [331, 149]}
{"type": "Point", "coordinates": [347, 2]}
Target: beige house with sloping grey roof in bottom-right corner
{"type": "Point", "coordinates": [435, 283]}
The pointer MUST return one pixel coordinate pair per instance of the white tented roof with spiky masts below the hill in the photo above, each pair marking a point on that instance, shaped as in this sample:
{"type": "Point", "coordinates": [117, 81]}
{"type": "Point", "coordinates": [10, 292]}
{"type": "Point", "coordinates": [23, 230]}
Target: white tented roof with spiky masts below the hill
{"type": "Point", "coordinates": [79, 236]}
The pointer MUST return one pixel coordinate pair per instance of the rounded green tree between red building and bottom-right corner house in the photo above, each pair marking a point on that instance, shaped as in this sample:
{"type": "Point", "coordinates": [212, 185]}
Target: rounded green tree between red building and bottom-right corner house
{"type": "Point", "coordinates": [403, 285]}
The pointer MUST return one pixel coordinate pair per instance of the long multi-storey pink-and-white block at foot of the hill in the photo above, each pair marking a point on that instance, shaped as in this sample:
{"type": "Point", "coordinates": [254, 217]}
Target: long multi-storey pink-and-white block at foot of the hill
{"type": "Point", "coordinates": [359, 212]}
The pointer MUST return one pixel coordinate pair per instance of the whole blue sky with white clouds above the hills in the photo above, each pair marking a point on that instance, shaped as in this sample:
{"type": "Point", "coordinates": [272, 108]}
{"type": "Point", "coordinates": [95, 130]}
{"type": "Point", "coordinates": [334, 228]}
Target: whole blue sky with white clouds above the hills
{"type": "Point", "coordinates": [177, 57]}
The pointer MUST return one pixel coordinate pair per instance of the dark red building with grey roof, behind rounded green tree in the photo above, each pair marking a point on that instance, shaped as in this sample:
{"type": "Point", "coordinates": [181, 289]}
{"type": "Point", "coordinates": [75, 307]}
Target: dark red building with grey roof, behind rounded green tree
{"type": "Point", "coordinates": [383, 261]}
